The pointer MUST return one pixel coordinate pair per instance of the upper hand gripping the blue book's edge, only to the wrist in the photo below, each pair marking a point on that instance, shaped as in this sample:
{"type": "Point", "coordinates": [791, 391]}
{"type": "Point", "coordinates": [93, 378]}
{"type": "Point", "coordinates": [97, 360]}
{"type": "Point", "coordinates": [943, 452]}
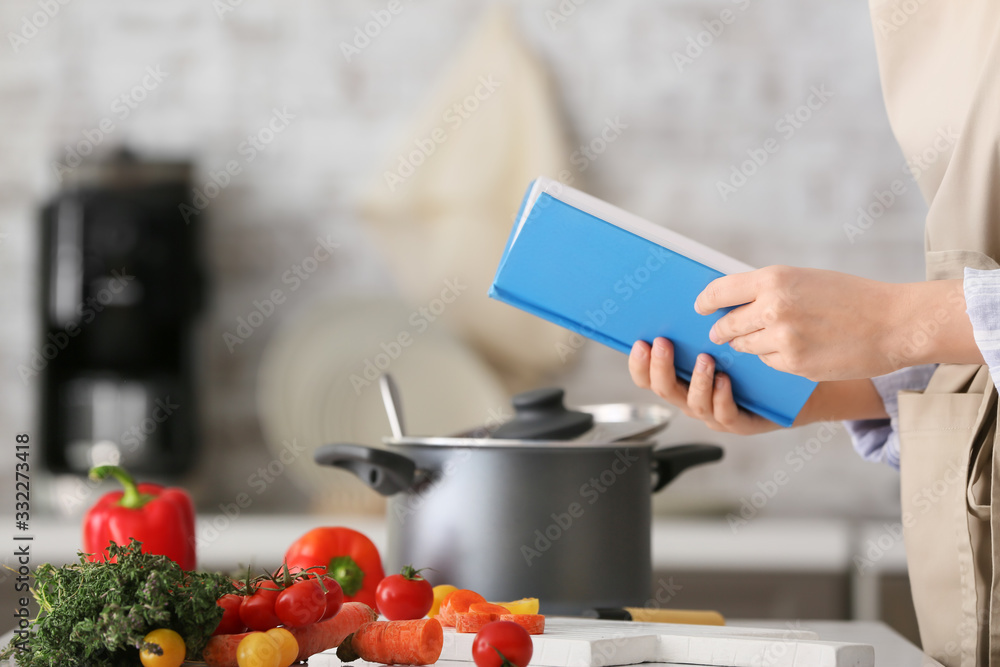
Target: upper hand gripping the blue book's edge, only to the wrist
{"type": "Point", "coordinates": [819, 324]}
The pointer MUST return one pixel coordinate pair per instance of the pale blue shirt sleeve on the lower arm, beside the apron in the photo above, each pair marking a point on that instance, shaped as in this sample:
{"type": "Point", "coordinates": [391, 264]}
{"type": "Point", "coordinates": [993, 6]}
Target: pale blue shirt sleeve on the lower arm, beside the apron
{"type": "Point", "coordinates": [878, 439]}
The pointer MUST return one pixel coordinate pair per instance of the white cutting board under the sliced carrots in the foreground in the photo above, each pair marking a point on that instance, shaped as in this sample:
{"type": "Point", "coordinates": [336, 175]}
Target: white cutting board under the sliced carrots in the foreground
{"type": "Point", "coordinates": [582, 642]}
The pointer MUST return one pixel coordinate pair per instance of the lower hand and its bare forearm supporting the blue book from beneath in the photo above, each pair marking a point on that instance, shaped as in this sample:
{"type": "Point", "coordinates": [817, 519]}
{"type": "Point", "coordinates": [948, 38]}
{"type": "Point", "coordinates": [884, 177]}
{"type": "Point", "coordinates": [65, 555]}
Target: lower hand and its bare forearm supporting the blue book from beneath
{"type": "Point", "coordinates": [709, 395]}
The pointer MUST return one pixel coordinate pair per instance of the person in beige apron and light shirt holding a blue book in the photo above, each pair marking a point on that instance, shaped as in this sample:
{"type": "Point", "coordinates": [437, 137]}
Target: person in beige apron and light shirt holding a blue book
{"type": "Point", "coordinates": [912, 366]}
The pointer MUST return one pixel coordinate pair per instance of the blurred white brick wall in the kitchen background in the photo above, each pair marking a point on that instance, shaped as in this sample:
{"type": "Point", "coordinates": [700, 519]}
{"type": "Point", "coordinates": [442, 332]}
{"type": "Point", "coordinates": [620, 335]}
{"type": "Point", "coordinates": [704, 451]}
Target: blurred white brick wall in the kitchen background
{"type": "Point", "coordinates": [607, 59]}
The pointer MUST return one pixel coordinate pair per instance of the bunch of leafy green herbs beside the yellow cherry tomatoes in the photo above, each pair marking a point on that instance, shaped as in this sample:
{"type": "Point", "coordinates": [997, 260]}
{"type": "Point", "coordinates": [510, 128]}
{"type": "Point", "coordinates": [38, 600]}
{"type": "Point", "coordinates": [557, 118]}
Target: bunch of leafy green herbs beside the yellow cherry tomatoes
{"type": "Point", "coordinates": [96, 614]}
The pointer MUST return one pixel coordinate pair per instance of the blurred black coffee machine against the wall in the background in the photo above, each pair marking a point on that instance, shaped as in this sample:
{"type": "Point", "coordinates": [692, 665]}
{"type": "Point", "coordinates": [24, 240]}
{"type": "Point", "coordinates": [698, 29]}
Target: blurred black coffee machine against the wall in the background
{"type": "Point", "coordinates": [121, 286]}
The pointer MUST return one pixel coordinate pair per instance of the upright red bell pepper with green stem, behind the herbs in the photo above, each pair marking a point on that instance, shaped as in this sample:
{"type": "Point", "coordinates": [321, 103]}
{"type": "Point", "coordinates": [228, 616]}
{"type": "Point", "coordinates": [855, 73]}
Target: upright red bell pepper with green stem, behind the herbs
{"type": "Point", "coordinates": [161, 518]}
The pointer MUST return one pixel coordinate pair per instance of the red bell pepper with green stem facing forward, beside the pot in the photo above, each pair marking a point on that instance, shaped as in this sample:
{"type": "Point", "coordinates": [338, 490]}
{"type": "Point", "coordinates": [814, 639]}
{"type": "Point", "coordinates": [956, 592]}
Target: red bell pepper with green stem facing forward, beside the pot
{"type": "Point", "coordinates": [348, 556]}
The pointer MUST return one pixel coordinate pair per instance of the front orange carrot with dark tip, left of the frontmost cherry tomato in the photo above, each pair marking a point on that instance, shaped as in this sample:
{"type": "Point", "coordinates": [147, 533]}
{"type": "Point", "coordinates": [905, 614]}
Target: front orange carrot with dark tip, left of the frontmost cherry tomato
{"type": "Point", "coordinates": [417, 642]}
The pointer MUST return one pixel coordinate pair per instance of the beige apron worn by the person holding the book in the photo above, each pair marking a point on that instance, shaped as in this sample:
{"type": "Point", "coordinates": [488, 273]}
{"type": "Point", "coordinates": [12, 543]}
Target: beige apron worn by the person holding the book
{"type": "Point", "coordinates": [940, 66]}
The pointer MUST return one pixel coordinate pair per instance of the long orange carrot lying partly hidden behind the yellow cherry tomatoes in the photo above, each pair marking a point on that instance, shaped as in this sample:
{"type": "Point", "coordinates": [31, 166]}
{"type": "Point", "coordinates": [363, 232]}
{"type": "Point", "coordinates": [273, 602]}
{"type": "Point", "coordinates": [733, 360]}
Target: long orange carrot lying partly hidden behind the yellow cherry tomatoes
{"type": "Point", "coordinates": [312, 639]}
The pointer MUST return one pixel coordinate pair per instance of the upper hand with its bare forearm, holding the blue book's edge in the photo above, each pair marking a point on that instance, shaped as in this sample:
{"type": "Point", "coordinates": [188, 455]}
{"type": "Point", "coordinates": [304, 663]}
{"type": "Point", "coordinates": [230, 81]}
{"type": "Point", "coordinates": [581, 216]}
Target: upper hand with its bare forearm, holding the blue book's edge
{"type": "Point", "coordinates": [825, 325]}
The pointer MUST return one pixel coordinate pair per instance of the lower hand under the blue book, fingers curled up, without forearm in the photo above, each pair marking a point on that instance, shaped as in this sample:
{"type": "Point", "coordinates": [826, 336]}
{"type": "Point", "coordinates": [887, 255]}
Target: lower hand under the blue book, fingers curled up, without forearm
{"type": "Point", "coordinates": [708, 397]}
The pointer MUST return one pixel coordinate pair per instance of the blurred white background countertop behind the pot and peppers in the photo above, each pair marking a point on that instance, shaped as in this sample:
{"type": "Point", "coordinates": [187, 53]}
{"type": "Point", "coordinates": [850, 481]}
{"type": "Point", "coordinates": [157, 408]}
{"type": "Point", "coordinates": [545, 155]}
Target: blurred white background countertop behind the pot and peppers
{"type": "Point", "coordinates": [702, 544]}
